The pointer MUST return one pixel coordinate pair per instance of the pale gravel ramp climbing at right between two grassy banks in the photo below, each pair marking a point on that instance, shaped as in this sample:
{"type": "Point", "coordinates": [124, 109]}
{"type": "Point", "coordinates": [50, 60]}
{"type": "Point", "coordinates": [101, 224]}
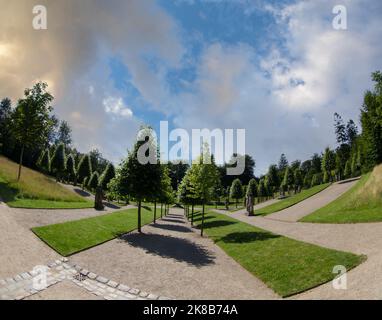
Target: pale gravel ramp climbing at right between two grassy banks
{"type": "Point", "coordinates": [303, 208]}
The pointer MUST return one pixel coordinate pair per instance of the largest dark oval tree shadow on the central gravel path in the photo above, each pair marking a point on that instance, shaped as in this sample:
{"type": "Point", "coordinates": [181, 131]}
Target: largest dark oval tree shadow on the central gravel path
{"type": "Point", "coordinates": [168, 247]}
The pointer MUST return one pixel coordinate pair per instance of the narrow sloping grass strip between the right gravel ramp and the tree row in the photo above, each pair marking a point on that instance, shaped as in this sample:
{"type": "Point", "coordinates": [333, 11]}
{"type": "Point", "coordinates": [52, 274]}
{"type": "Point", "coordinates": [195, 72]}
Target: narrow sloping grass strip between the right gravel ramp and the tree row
{"type": "Point", "coordinates": [290, 201]}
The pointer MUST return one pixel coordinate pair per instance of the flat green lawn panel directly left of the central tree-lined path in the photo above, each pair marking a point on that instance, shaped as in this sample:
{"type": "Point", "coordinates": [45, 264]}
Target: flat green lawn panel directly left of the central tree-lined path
{"type": "Point", "coordinates": [74, 236]}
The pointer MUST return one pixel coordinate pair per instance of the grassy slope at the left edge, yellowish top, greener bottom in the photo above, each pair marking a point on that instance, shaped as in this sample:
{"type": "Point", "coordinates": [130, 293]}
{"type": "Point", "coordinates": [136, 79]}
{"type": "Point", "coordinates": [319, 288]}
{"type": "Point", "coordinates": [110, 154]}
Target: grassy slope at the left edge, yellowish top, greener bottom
{"type": "Point", "coordinates": [35, 190]}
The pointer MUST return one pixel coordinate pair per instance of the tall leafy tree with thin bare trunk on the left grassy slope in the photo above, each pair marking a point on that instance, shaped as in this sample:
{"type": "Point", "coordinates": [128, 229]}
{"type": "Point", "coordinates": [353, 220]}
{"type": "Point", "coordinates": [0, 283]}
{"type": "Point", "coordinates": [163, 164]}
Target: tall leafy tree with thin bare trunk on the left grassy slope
{"type": "Point", "coordinates": [31, 121]}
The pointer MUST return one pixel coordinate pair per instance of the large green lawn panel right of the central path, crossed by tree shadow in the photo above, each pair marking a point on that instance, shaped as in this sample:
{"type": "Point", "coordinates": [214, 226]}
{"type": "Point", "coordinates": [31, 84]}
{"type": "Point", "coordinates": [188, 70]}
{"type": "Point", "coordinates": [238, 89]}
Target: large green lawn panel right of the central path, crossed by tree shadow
{"type": "Point", "coordinates": [285, 265]}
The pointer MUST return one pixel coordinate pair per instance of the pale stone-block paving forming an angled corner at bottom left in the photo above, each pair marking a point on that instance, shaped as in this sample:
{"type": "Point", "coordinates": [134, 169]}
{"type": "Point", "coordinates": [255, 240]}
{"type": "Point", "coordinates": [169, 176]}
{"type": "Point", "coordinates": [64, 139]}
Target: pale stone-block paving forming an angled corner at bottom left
{"type": "Point", "coordinates": [27, 284]}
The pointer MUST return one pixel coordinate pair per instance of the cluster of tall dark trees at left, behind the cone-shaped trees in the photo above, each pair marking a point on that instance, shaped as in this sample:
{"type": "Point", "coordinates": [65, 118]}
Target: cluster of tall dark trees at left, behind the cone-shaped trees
{"type": "Point", "coordinates": [29, 129]}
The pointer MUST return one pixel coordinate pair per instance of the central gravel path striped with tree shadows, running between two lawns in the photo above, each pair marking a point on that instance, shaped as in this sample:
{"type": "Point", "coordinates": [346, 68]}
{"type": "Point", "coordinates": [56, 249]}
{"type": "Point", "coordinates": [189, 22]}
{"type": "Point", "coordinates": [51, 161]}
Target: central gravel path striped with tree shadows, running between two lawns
{"type": "Point", "coordinates": [172, 260]}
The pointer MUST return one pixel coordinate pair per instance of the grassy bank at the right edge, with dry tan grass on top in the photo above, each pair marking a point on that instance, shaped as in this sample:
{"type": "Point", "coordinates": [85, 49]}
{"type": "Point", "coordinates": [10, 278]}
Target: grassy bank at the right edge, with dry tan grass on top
{"type": "Point", "coordinates": [362, 203]}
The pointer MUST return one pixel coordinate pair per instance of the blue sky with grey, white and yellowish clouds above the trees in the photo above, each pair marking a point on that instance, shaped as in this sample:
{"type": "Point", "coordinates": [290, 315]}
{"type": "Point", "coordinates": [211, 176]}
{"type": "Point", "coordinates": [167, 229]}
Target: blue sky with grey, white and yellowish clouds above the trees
{"type": "Point", "coordinates": [277, 69]}
